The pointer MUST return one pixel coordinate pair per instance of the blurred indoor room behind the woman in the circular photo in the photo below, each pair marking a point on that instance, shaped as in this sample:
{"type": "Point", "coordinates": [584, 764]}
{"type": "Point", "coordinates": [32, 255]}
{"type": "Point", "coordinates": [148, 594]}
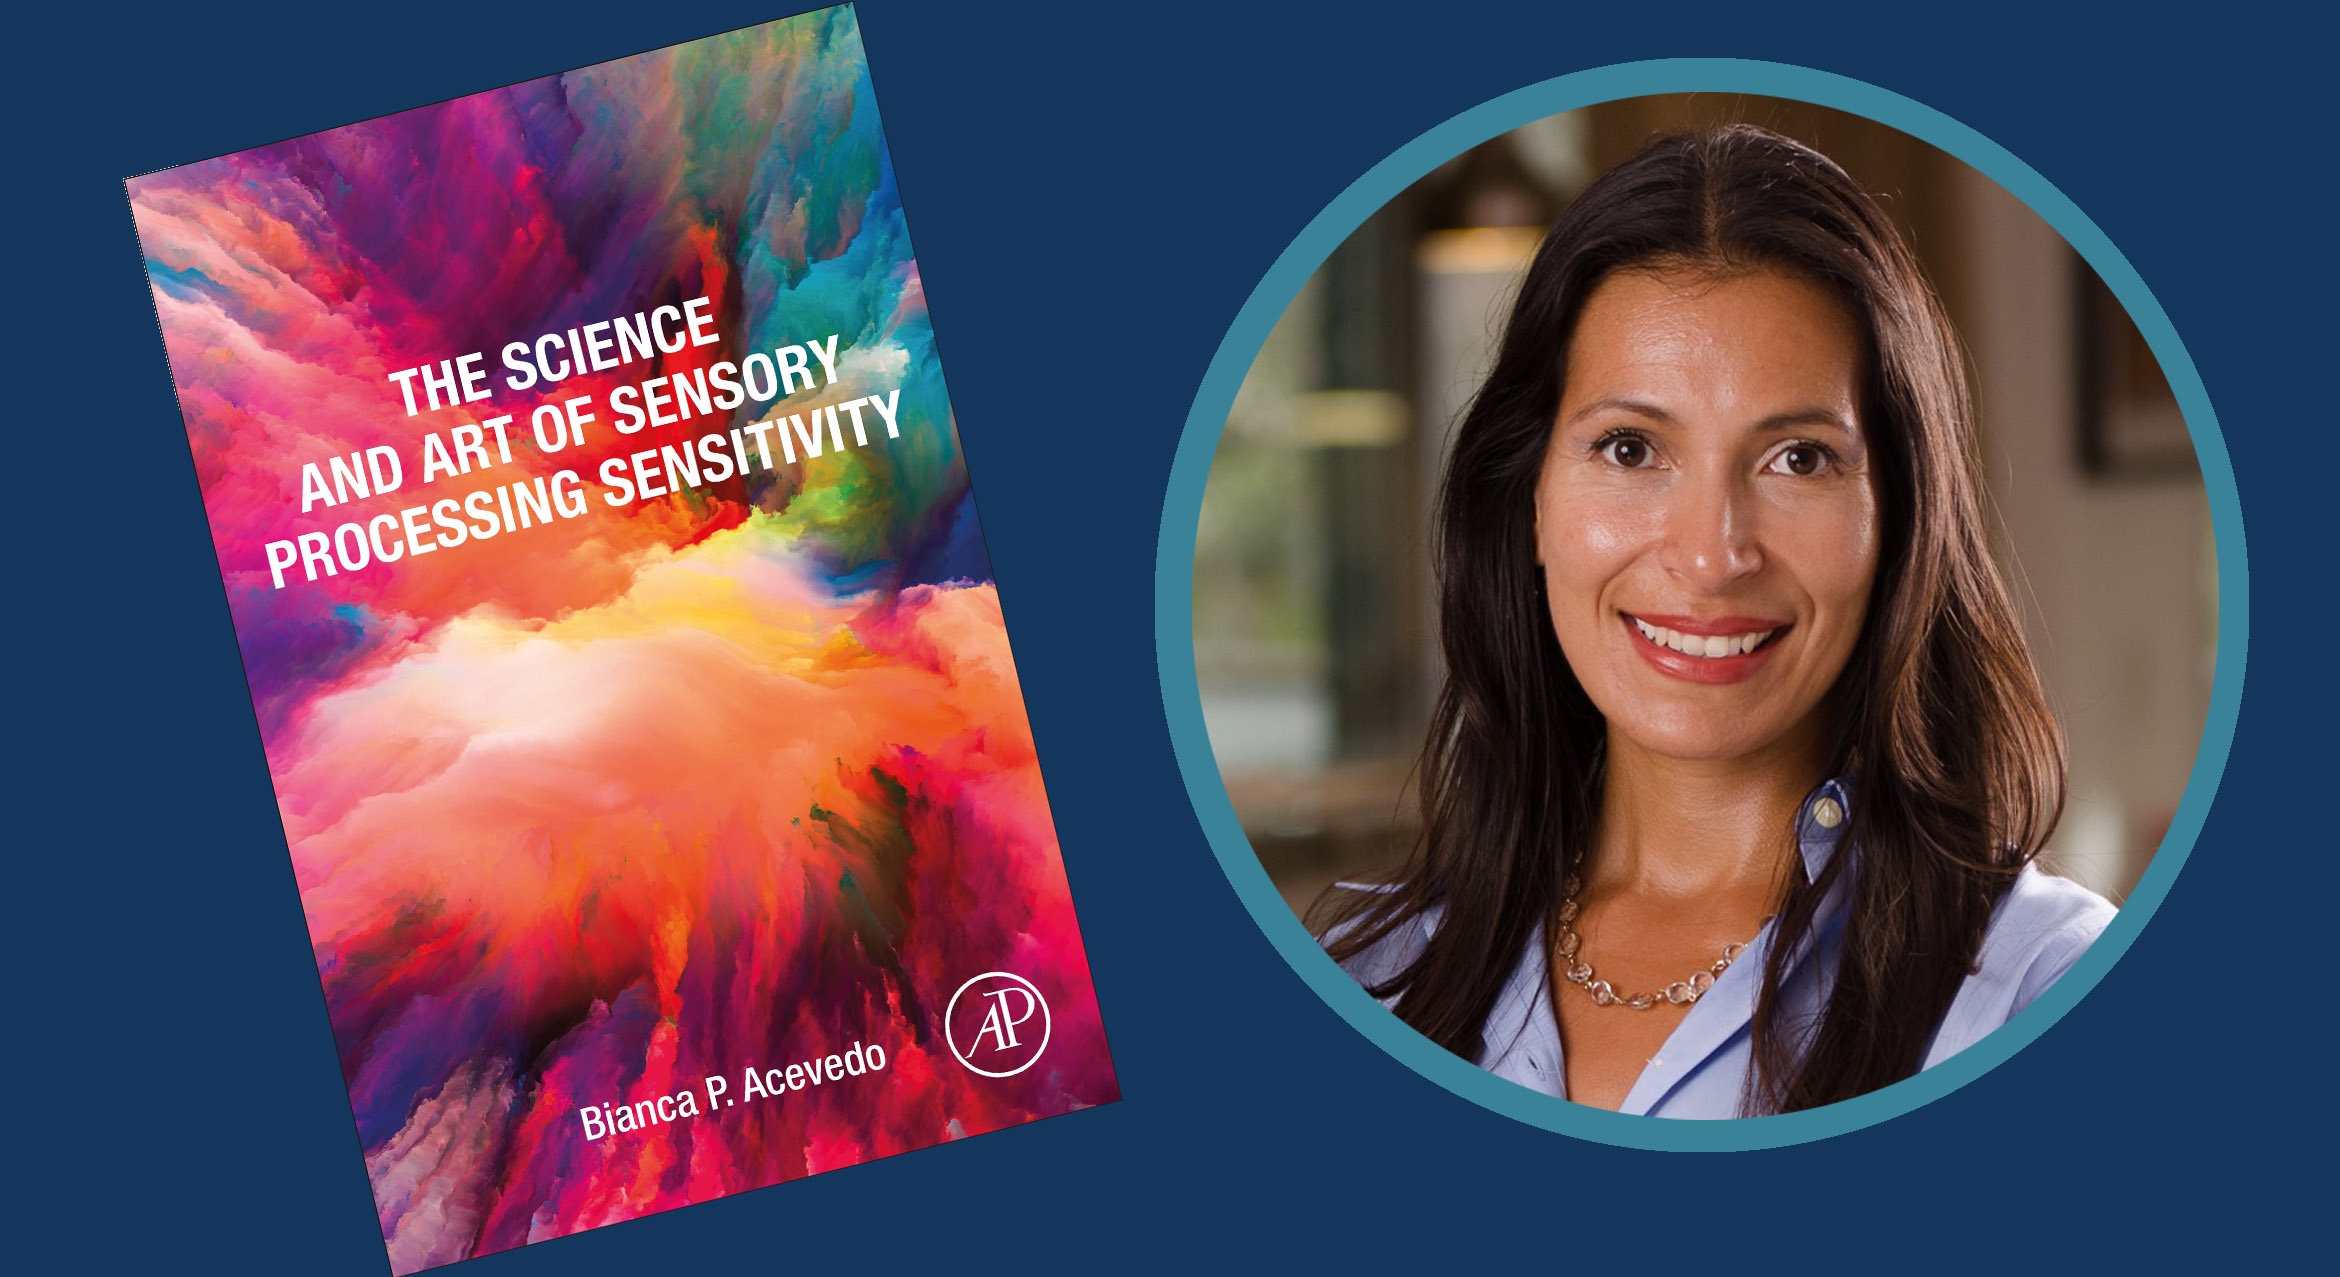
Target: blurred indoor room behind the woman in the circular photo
{"type": "Point", "coordinates": [1312, 586]}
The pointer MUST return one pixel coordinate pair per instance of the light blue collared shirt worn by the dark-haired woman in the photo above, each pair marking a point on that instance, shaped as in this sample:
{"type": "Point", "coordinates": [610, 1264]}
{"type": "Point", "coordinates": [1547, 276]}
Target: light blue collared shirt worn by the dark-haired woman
{"type": "Point", "coordinates": [2039, 930]}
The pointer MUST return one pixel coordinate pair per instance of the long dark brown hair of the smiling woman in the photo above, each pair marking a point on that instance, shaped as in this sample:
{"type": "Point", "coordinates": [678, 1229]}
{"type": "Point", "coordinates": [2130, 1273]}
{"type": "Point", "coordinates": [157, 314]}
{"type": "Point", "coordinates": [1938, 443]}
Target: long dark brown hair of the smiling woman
{"type": "Point", "coordinates": [1939, 710]}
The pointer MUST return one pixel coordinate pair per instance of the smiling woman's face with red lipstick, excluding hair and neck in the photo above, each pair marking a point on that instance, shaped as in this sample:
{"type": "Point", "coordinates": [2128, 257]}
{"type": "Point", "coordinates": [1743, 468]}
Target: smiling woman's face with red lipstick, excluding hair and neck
{"type": "Point", "coordinates": [1707, 518]}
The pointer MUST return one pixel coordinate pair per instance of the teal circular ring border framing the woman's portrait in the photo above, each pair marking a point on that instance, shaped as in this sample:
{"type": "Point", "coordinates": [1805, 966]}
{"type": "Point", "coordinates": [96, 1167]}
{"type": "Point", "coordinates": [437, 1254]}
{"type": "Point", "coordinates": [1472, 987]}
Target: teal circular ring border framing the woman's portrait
{"type": "Point", "coordinates": [1183, 506]}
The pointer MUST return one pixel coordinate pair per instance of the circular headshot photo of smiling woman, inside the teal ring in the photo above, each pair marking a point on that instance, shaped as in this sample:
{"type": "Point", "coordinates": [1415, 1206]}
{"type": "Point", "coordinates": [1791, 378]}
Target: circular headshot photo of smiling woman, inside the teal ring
{"type": "Point", "coordinates": [1705, 607]}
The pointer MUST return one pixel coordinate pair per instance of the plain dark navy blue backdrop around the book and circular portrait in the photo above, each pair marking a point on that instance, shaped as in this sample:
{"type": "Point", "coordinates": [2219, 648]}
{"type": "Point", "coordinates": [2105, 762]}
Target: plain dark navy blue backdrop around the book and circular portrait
{"type": "Point", "coordinates": [1092, 198]}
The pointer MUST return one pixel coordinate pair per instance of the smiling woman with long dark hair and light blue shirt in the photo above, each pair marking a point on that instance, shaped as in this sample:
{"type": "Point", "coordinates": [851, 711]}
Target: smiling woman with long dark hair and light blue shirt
{"type": "Point", "coordinates": [1740, 766]}
